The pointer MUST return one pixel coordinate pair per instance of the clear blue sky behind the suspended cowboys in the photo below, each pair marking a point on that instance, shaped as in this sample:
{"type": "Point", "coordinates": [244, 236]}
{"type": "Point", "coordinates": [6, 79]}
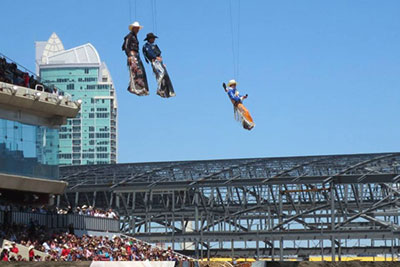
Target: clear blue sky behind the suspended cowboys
{"type": "Point", "coordinates": [322, 76]}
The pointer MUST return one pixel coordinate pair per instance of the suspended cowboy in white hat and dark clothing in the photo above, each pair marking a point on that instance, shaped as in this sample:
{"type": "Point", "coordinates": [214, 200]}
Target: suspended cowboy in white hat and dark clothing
{"type": "Point", "coordinates": [138, 80]}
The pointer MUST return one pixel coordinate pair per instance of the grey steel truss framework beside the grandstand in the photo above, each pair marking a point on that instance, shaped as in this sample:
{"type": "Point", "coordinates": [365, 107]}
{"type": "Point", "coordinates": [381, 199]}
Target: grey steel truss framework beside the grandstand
{"type": "Point", "coordinates": [315, 205]}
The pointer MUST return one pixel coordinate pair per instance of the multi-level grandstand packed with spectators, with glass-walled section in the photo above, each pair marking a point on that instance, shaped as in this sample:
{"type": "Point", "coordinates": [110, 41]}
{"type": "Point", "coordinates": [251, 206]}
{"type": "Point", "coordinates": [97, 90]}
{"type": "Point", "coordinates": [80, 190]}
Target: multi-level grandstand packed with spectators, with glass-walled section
{"type": "Point", "coordinates": [33, 226]}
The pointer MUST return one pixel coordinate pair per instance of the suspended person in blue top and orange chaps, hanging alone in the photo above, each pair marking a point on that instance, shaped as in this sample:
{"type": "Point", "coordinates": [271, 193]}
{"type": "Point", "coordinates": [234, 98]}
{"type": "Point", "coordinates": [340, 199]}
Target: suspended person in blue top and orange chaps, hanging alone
{"type": "Point", "coordinates": [241, 112]}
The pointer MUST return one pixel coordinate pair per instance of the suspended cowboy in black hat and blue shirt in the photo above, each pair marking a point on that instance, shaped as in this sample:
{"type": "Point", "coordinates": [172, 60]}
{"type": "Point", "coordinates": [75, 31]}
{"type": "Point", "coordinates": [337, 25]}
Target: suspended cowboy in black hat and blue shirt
{"type": "Point", "coordinates": [152, 54]}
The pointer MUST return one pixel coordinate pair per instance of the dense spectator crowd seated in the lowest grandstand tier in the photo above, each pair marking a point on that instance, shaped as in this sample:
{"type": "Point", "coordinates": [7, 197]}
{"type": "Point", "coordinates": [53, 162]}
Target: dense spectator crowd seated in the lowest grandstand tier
{"type": "Point", "coordinates": [64, 246]}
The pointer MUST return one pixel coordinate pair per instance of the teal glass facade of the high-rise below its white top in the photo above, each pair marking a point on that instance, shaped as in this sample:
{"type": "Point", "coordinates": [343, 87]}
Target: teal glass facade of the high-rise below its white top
{"type": "Point", "coordinates": [90, 138]}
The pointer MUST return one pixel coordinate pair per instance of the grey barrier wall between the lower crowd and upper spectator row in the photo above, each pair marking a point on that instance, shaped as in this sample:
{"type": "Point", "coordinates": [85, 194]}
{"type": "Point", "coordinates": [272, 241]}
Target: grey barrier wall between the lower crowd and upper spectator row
{"type": "Point", "coordinates": [55, 221]}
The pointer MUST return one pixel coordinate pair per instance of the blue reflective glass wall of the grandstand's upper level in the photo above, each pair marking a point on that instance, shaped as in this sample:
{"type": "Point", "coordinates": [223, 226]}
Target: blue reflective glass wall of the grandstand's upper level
{"type": "Point", "coordinates": [28, 150]}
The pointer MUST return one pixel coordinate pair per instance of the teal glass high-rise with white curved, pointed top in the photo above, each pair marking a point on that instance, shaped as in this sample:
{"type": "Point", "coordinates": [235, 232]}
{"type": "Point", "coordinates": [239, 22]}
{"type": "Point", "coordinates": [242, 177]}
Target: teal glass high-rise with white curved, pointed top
{"type": "Point", "coordinates": [91, 137]}
